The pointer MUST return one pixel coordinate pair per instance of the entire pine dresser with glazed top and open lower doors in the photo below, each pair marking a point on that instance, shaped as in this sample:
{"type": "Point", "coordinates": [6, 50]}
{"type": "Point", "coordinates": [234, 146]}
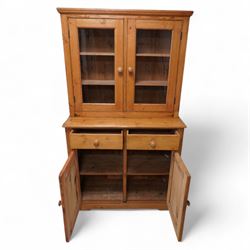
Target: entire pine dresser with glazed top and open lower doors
{"type": "Point", "coordinates": [124, 136]}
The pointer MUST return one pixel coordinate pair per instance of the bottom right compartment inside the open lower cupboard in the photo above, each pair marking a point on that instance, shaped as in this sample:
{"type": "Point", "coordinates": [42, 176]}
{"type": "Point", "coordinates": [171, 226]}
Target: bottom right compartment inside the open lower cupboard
{"type": "Point", "coordinates": [151, 188]}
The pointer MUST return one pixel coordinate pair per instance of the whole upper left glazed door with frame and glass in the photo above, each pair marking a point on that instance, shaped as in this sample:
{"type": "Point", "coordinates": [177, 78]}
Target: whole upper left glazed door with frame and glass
{"type": "Point", "coordinates": [97, 59]}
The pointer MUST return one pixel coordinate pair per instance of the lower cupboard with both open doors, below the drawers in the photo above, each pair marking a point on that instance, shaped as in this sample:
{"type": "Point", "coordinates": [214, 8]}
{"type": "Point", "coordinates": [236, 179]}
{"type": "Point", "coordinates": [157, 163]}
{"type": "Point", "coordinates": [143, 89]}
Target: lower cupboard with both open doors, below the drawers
{"type": "Point", "coordinates": [113, 178]}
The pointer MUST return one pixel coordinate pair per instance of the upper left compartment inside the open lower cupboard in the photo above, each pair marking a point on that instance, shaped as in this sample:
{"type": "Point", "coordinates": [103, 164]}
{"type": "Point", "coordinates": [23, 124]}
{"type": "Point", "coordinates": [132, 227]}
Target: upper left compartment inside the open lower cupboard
{"type": "Point", "coordinates": [100, 162]}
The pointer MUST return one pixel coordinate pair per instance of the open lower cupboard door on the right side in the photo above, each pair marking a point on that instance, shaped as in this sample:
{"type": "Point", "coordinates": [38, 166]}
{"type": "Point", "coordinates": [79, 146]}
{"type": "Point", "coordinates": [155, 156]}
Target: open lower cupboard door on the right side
{"type": "Point", "coordinates": [177, 197]}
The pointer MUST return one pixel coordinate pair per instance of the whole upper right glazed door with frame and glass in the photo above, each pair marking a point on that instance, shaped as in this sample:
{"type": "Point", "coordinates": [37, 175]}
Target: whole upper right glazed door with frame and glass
{"type": "Point", "coordinates": [153, 49]}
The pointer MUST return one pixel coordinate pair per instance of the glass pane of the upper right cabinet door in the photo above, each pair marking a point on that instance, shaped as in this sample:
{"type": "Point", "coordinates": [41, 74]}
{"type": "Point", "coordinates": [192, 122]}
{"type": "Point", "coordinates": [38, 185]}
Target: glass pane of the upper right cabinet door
{"type": "Point", "coordinates": [152, 66]}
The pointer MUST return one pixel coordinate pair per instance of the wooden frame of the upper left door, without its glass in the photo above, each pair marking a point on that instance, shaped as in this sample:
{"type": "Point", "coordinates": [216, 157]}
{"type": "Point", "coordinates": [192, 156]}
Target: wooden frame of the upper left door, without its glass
{"type": "Point", "coordinates": [100, 23]}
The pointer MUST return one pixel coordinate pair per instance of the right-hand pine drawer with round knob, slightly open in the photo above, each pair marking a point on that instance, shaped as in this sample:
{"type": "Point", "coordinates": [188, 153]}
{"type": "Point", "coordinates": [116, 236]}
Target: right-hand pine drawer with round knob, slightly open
{"type": "Point", "coordinates": [153, 141]}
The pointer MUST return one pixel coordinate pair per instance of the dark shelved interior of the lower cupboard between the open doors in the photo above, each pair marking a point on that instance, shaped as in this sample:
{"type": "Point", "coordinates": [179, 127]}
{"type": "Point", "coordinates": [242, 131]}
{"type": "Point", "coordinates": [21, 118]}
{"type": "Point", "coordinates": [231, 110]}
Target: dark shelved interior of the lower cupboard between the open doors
{"type": "Point", "coordinates": [103, 177]}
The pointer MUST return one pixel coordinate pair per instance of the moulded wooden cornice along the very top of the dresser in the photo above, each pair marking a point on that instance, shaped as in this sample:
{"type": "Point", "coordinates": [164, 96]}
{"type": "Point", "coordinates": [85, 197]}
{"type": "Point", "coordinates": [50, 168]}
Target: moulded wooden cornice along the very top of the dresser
{"type": "Point", "coordinates": [180, 13]}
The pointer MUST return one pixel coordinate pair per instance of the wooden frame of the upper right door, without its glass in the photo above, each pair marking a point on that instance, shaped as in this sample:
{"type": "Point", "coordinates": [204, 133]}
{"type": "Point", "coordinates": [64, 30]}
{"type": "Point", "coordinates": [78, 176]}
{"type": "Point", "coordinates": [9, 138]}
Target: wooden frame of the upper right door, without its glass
{"type": "Point", "coordinates": [176, 27]}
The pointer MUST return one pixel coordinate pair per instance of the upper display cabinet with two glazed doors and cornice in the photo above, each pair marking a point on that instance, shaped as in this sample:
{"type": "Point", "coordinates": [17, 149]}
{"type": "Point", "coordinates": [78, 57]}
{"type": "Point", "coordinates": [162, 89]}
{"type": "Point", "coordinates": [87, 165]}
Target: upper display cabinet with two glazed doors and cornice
{"type": "Point", "coordinates": [127, 64]}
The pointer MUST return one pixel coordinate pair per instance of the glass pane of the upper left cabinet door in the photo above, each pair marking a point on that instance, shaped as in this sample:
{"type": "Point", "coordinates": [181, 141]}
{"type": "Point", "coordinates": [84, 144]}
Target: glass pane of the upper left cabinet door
{"type": "Point", "coordinates": [97, 65]}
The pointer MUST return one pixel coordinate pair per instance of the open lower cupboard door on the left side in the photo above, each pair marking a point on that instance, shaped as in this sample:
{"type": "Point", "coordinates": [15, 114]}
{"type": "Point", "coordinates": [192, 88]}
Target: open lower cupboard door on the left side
{"type": "Point", "coordinates": [70, 193]}
